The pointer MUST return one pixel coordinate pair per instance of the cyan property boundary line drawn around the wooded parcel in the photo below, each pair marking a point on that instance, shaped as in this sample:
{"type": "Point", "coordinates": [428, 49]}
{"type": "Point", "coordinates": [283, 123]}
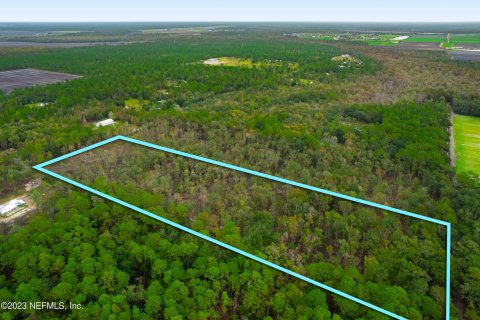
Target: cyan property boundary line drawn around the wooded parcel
{"type": "Point", "coordinates": [41, 167]}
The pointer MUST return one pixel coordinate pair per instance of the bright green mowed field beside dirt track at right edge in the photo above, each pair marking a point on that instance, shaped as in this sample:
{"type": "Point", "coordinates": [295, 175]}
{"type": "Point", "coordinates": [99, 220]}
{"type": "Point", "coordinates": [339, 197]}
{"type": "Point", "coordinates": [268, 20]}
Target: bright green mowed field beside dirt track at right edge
{"type": "Point", "coordinates": [467, 143]}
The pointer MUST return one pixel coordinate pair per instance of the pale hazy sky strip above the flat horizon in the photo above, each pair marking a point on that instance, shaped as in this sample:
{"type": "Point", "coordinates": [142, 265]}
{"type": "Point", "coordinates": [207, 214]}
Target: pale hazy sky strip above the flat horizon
{"type": "Point", "coordinates": [240, 10]}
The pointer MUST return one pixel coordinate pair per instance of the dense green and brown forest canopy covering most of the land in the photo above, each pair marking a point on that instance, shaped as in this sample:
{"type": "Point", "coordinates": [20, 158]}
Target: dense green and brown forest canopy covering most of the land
{"type": "Point", "coordinates": [376, 130]}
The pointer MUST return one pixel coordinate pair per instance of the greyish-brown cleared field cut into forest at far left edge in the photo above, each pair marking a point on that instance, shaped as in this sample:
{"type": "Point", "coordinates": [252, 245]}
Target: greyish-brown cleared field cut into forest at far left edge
{"type": "Point", "coordinates": [23, 78]}
